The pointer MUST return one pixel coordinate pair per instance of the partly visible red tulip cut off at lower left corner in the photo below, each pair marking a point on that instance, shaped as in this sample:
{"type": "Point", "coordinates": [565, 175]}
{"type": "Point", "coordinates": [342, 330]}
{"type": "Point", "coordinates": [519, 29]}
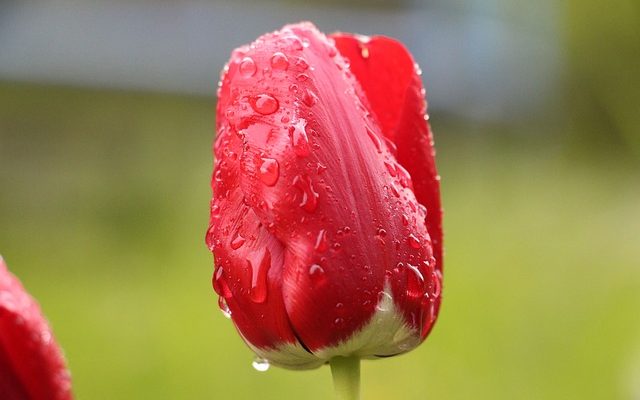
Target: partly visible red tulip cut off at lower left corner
{"type": "Point", "coordinates": [31, 363]}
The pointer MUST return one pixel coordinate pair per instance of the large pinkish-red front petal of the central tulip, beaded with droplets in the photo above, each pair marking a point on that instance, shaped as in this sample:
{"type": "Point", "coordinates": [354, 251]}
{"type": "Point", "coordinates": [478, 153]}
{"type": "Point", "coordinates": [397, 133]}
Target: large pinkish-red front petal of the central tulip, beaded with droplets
{"type": "Point", "coordinates": [313, 169]}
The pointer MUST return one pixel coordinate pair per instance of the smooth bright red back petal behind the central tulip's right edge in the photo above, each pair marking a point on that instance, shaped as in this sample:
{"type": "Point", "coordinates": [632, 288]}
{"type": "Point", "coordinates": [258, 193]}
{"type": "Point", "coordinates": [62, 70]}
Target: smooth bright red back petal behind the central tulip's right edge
{"type": "Point", "coordinates": [391, 82]}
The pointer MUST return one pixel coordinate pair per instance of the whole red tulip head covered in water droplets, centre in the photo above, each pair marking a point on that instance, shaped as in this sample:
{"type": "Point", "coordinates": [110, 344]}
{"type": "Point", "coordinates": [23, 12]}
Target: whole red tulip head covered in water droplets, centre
{"type": "Point", "coordinates": [325, 220]}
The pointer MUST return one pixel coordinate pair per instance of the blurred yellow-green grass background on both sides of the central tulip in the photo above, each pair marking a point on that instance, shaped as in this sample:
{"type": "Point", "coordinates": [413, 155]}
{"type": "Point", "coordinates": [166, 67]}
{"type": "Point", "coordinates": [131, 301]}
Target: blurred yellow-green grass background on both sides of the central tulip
{"type": "Point", "coordinates": [104, 205]}
